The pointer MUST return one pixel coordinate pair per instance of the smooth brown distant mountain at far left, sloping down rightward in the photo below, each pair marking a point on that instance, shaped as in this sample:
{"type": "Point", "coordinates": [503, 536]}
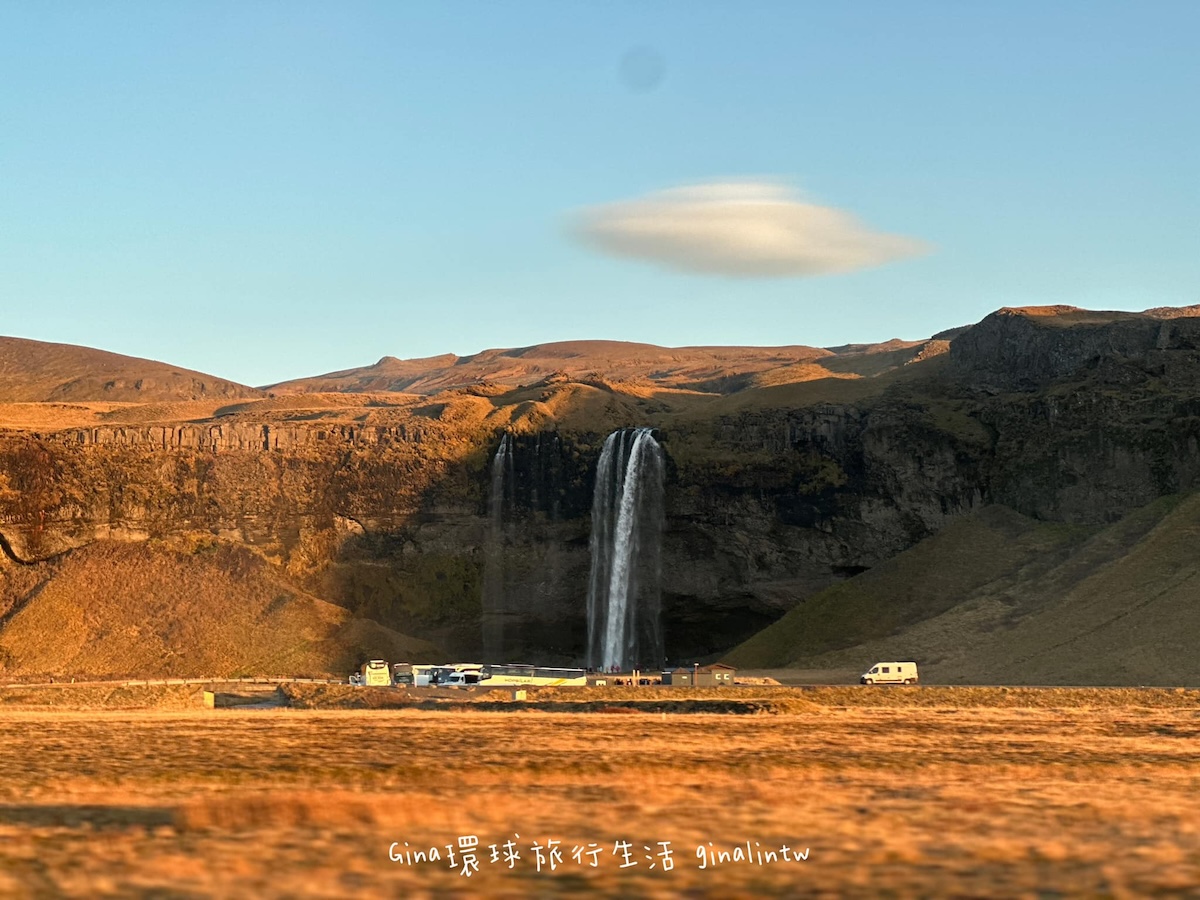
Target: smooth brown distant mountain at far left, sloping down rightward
{"type": "Point", "coordinates": [35, 371]}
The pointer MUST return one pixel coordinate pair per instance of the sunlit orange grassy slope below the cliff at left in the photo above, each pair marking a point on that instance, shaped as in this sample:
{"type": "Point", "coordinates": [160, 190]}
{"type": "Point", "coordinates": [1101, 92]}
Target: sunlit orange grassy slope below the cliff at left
{"type": "Point", "coordinates": [118, 609]}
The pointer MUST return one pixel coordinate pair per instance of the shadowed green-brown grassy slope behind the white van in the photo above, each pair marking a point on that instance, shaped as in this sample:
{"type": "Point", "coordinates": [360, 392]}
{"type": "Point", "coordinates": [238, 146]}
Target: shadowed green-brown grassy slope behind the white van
{"type": "Point", "coordinates": [1003, 599]}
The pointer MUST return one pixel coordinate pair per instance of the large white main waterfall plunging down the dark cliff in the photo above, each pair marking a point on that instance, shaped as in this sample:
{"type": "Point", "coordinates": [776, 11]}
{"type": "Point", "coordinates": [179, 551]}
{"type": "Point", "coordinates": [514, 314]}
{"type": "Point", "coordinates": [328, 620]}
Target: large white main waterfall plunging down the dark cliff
{"type": "Point", "coordinates": [627, 525]}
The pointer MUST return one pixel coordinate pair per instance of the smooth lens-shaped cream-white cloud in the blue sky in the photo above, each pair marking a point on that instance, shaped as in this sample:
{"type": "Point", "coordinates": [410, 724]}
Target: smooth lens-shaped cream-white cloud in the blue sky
{"type": "Point", "coordinates": [749, 230]}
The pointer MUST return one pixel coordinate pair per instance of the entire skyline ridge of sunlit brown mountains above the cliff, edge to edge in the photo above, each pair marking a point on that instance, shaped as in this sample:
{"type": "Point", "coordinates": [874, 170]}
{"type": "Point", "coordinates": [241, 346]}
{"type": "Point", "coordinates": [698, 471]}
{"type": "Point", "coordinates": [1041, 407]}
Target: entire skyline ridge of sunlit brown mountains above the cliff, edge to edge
{"type": "Point", "coordinates": [47, 373]}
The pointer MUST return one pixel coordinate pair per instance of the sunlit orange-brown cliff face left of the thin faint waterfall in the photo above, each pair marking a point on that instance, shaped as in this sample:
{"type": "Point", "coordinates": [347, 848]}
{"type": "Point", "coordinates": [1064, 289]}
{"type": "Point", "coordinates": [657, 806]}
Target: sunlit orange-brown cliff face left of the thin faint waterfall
{"type": "Point", "coordinates": [315, 500]}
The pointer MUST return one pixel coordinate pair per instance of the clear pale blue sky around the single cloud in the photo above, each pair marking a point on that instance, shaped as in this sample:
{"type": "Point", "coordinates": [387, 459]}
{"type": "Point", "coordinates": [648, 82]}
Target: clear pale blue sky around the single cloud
{"type": "Point", "coordinates": [269, 190]}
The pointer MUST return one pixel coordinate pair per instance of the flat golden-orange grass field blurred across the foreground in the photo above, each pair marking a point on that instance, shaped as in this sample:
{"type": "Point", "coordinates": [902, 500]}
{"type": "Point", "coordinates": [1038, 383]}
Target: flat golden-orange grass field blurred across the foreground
{"type": "Point", "coordinates": [905, 793]}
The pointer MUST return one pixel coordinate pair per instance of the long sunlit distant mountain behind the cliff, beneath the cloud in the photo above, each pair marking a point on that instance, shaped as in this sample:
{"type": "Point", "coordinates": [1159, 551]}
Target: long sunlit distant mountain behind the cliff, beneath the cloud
{"type": "Point", "coordinates": [718, 370]}
